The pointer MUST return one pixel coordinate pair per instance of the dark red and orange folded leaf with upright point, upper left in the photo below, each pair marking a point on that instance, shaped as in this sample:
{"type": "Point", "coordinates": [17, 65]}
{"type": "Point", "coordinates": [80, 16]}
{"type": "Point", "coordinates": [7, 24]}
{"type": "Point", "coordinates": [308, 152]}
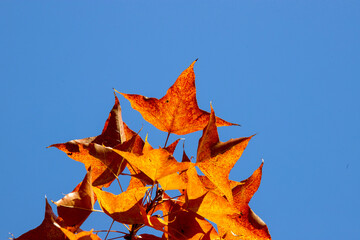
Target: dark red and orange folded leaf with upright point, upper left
{"type": "Point", "coordinates": [92, 151]}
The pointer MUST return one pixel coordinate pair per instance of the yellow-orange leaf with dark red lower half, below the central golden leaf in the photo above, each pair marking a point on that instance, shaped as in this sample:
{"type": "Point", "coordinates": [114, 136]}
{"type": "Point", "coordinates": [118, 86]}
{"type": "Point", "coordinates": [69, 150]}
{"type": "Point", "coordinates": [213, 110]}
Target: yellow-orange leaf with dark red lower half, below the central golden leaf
{"type": "Point", "coordinates": [125, 207]}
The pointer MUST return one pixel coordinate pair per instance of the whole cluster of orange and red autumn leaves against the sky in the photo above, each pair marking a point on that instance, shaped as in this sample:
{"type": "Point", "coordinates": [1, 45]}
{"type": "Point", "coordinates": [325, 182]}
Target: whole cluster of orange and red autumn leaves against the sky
{"type": "Point", "coordinates": [204, 201]}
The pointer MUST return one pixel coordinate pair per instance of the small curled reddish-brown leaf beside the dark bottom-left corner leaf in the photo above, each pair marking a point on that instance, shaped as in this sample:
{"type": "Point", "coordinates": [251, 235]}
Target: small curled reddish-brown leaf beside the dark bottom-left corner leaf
{"type": "Point", "coordinates": [76, 206]}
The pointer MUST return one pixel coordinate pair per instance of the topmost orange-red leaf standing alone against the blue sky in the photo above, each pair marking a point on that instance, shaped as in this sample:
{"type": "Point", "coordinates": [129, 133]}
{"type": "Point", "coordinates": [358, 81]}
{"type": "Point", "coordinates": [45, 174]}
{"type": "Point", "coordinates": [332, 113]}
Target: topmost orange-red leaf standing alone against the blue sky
{"type": "Point", "coordinates": [177, 112]}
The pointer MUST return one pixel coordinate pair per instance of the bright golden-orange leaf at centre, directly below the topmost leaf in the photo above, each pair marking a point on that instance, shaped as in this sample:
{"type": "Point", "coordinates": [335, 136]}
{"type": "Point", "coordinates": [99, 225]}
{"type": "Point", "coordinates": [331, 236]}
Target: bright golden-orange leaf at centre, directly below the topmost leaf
{"type": "Point", "coordinates": [155, 163]}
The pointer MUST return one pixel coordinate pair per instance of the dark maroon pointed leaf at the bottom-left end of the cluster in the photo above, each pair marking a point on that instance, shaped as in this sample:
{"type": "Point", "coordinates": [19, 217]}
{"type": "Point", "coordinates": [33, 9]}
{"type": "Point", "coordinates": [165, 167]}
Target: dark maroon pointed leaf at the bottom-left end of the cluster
{"type": "Point", "coordinates": [48, 229]}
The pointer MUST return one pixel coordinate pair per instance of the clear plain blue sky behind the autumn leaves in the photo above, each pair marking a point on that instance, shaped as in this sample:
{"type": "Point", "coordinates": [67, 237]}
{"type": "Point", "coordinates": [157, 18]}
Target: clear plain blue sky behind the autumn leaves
{"type": "Point", "coordinates": [286, 70]}
